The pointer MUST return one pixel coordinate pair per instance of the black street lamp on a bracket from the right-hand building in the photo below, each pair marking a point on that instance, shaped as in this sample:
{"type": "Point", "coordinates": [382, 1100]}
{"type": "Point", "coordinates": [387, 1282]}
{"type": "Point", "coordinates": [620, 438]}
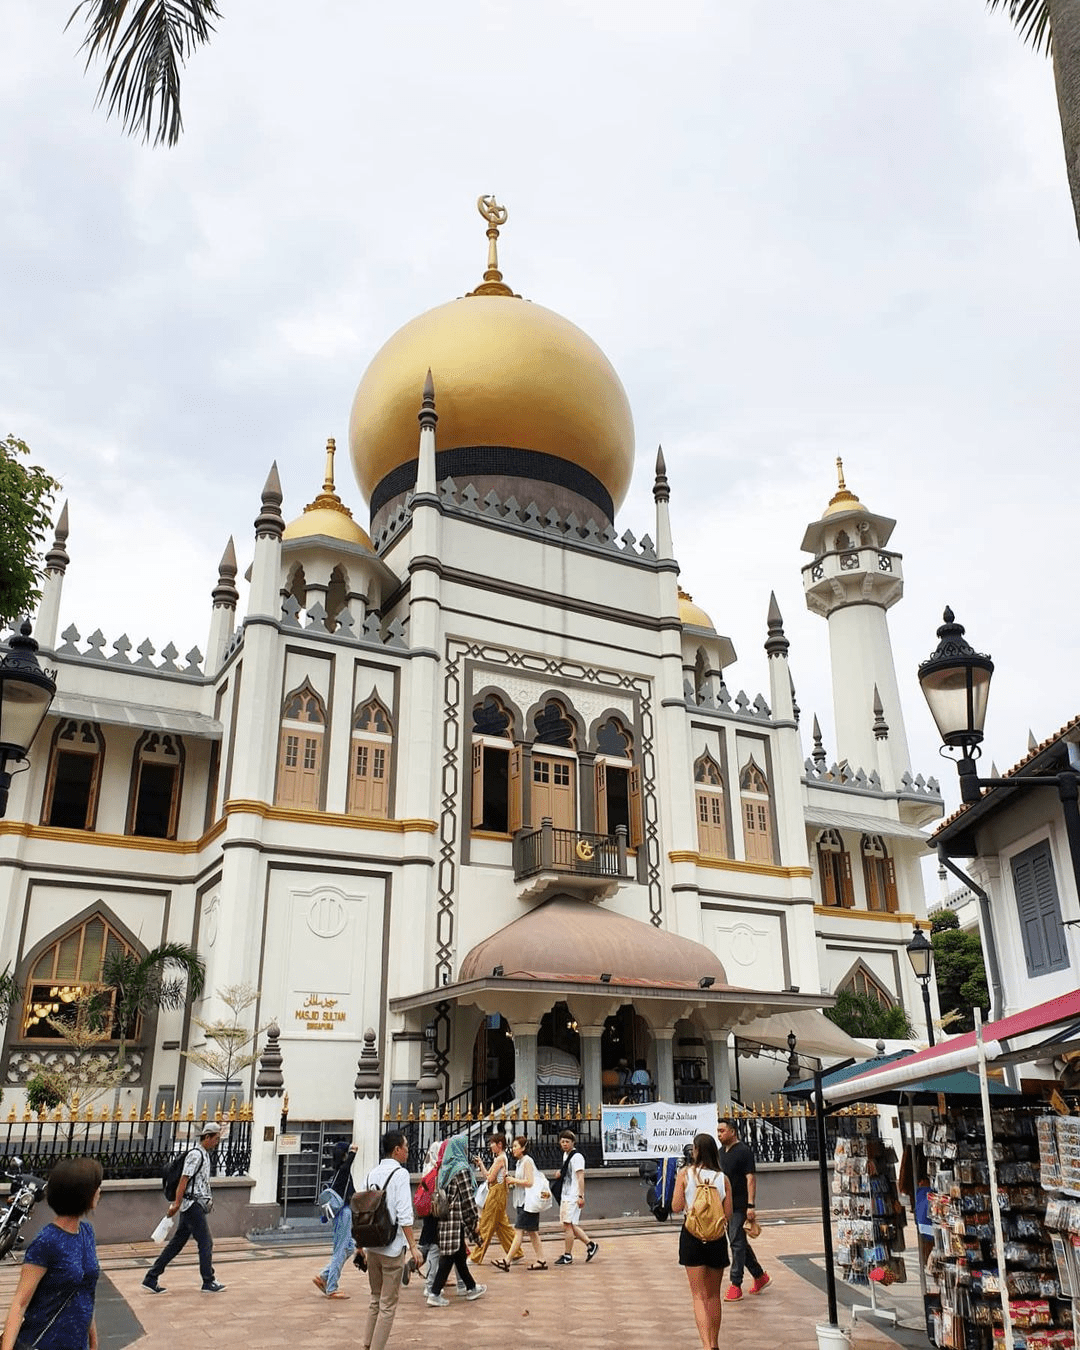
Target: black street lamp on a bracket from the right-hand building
{"type": "Point", "coordinates": [955, 682]}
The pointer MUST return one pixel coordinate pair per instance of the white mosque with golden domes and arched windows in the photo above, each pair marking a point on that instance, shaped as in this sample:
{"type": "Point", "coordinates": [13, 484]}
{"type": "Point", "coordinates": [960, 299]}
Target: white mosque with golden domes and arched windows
{"type": "Point", "coordinates": [476, 774]}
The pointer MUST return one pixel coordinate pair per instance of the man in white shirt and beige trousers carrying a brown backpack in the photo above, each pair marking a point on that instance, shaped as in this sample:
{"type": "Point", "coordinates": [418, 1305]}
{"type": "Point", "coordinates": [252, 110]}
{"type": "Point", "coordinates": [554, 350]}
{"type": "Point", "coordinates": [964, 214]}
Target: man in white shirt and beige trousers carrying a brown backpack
{"type": "Point", "coordinates": [385, 1210]}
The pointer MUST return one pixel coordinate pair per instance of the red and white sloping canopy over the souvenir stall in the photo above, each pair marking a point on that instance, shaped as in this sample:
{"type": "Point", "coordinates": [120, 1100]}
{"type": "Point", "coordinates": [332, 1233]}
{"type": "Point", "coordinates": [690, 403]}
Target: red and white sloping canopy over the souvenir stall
{"type": "Point", "coordinates": [1023, 1036]}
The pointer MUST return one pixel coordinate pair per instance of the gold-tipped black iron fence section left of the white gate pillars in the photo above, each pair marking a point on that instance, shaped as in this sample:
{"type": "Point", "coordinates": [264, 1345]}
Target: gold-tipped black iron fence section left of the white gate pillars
{"type": "Point", "coordinates": [128, 1148]}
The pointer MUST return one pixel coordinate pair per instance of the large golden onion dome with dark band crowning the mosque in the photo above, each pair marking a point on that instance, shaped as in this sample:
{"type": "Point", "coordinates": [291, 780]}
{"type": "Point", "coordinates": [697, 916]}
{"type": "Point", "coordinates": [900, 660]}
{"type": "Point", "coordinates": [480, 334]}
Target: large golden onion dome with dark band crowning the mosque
{"type": "Point", "coordinates": [510, 376]}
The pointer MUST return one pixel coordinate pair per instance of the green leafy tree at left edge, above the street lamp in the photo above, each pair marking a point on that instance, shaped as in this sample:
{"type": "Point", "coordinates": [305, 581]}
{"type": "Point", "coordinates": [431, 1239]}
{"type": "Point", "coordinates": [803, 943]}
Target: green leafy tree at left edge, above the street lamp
{"type": "Point", "coordinates": [26, 495]}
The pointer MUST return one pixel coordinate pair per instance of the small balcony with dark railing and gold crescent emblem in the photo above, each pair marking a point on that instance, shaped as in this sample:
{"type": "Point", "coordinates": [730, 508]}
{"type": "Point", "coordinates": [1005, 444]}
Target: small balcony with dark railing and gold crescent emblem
{"type": "Point", "coordinates": [550, 859]}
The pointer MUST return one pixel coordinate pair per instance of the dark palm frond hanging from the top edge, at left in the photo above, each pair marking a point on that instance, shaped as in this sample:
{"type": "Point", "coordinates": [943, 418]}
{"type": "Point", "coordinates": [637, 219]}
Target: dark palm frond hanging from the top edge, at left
{"type": "Point", "coordinates": [146, 43]}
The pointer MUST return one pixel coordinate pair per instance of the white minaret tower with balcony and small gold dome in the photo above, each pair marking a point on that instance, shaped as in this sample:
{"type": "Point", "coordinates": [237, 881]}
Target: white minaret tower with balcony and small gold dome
{"type": "Point", "coordinates": [853, 583]}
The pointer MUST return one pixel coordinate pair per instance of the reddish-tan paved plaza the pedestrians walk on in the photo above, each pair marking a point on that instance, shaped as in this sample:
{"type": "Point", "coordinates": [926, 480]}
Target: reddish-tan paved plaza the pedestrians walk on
{"type": "Point", "coordinates": [634, 1297]}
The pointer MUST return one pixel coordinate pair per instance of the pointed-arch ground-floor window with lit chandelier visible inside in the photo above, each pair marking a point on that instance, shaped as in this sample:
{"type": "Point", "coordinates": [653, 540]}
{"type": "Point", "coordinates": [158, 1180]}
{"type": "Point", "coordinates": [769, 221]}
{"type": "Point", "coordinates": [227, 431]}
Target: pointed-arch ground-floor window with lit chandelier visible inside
{"type": "Point", "coordinates": [67, 973]}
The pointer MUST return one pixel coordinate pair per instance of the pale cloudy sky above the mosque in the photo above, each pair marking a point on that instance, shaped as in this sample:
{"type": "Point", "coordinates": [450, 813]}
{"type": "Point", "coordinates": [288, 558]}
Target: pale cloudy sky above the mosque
{"type": "Point", "coordinates": [797, 232]}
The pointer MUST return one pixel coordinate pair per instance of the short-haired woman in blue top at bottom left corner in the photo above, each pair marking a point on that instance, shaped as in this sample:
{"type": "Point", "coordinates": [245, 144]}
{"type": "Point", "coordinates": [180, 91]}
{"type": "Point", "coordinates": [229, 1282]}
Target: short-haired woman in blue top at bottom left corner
{"type": "Point", "coordinates": [53, 1305]}
